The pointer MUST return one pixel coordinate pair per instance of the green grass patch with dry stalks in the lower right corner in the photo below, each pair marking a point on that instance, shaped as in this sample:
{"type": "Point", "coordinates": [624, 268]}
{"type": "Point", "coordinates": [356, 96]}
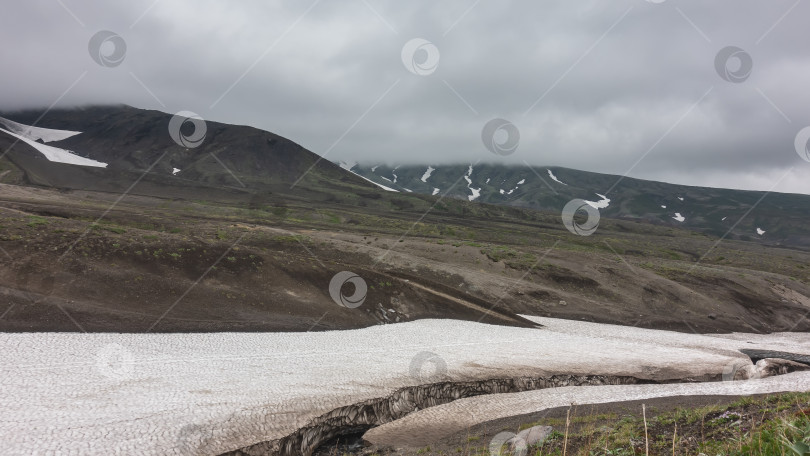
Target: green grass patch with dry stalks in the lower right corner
{"type": "Point", "coordinates": [769, 425]}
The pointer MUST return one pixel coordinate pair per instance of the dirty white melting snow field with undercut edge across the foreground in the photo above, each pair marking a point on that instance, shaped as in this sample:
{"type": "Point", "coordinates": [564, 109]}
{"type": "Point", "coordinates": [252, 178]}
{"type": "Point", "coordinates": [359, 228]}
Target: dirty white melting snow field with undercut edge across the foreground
{"type": "Point", "coordinates": [209, 393]}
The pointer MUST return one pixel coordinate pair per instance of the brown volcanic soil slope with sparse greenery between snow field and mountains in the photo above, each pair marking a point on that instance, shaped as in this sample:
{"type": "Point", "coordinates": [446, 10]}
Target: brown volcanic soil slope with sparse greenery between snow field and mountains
{"type": "Point", "coordinates": [158, 264]}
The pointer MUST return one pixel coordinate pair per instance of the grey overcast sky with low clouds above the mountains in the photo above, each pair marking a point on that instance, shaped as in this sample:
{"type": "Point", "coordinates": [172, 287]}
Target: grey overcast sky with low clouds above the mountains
{"type": "Point", "coordinates": [614, 86]}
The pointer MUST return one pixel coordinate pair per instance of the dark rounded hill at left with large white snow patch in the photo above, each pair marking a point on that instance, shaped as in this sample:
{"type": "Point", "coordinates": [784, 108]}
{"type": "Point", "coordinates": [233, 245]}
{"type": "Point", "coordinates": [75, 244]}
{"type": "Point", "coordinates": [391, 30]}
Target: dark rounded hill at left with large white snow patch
{"type": "Point", "coordinates": [135, 142]}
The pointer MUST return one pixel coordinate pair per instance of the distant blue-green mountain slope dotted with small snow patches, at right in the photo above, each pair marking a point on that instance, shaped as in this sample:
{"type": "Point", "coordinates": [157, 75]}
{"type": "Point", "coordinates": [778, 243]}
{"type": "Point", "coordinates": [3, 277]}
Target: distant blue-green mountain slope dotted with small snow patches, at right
{"type": "Point", "coordinates": [778, 219]}
